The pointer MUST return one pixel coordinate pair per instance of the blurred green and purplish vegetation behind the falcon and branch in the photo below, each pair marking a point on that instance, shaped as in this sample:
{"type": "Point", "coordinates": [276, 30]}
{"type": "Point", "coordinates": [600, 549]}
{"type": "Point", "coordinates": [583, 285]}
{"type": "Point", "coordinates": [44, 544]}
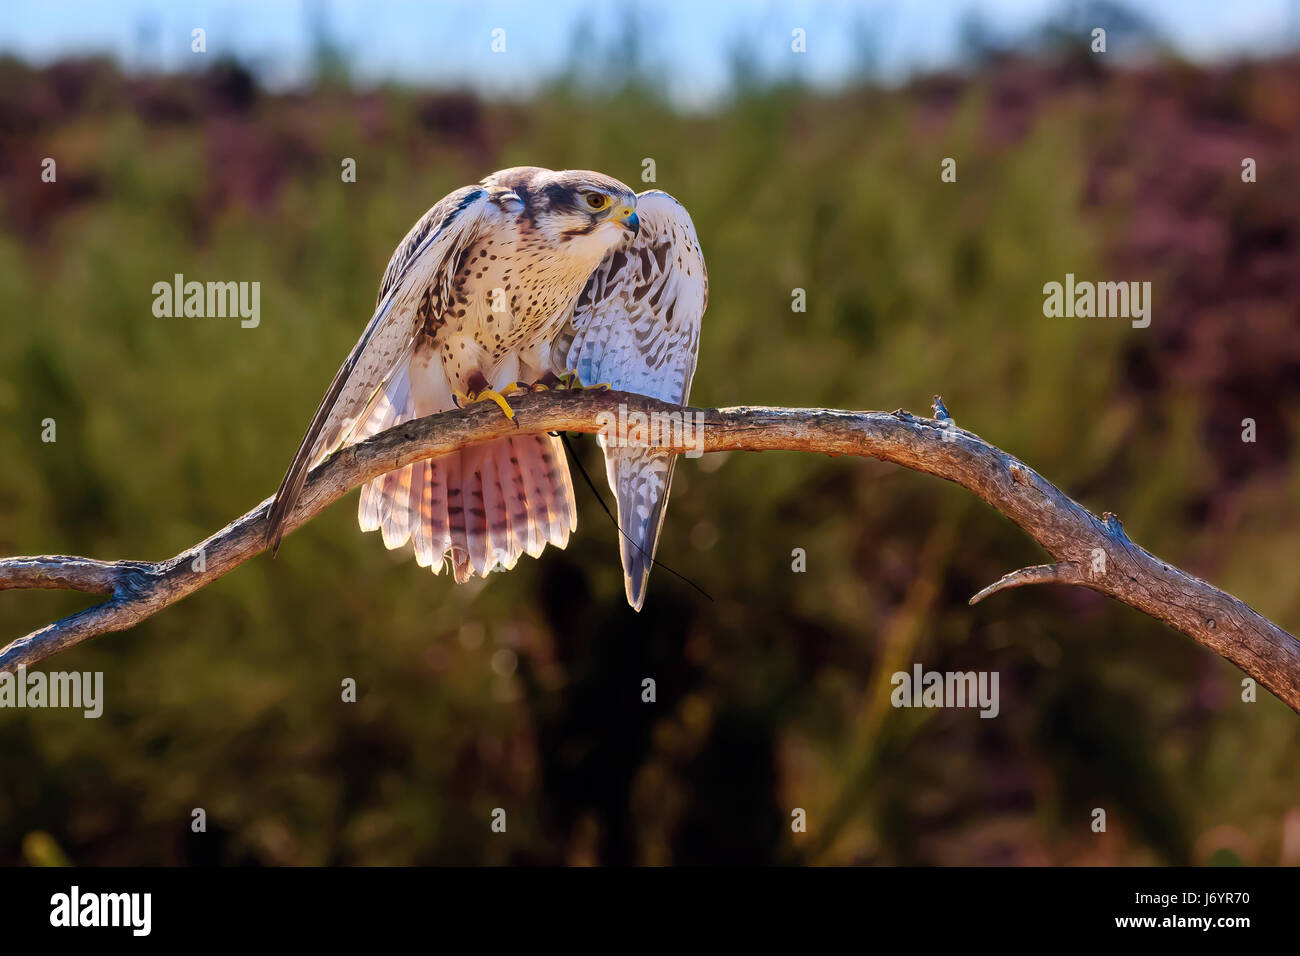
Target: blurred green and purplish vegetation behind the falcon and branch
{"type": "Point", "coordinates": [525, 693]}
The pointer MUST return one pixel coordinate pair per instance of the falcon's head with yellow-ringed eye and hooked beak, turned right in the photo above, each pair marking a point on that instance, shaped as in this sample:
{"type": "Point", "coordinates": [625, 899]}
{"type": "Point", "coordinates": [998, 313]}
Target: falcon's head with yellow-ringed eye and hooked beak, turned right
{"type": "Point", "coordinates": [578, 211]}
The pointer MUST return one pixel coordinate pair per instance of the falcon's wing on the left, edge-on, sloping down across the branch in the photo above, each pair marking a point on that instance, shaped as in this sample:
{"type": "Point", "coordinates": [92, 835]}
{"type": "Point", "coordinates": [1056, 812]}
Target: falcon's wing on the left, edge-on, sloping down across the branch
{"type": "Point", "coordinates": [426, 257]}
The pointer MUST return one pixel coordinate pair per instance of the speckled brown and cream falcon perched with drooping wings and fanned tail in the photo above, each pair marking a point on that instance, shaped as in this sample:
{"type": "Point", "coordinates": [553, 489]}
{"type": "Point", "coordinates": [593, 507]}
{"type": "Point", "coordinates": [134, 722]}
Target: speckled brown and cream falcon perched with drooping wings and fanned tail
{"type": "Point", "coordinates": [532, 279]}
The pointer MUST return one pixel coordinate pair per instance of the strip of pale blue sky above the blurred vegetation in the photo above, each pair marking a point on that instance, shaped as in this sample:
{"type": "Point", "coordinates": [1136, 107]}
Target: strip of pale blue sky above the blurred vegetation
{"type": "Point", "coordinates": [448, 42]}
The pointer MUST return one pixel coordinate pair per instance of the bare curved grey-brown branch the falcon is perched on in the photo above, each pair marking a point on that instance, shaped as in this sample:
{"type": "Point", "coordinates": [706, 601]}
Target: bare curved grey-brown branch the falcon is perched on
{"type": "Point", "coordinates": [1086, 551]}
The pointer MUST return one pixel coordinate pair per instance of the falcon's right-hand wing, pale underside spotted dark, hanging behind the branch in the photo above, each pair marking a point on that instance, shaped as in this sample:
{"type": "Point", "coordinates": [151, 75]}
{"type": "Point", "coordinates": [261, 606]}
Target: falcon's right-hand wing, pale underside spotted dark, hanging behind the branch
{"type": "Point", "coordinates": [636, 327]}
